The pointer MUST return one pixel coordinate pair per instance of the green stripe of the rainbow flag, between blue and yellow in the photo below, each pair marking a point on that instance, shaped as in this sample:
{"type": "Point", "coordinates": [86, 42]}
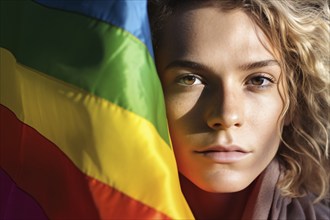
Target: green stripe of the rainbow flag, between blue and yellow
{"type": "Point", "coordinates": [95, 56]}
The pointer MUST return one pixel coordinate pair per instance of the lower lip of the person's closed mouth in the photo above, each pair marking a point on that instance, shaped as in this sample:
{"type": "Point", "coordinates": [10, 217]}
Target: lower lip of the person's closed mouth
{"type": "Point", "coordinates": [225, 157]}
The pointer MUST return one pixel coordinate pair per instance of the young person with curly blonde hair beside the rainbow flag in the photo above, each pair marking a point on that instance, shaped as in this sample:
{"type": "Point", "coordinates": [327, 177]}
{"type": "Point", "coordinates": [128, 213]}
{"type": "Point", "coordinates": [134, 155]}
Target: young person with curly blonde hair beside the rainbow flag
{"type": "Point", "coordinates": [246, 86]}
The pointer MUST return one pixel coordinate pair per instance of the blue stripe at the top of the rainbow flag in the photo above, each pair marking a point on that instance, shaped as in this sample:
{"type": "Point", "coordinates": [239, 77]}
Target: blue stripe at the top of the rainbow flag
{"type": "Point", "coordinates": [131, 15]}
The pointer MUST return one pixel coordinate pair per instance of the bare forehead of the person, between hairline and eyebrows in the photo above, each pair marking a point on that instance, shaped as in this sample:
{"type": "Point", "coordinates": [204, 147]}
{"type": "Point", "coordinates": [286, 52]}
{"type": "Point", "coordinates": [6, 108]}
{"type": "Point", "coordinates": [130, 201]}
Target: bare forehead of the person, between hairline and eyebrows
{"type": "Point", "coordinates": [208, 32]}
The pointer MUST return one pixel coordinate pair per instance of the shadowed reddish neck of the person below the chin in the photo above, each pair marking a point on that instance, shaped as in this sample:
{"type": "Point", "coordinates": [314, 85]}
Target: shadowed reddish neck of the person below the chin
{"type": "Point", "coordinates": [206, 205]}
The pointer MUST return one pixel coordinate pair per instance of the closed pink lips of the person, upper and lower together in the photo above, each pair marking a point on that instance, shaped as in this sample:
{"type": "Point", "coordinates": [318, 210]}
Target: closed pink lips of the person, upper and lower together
{"type": "Point", "coordinates": [224, 154]}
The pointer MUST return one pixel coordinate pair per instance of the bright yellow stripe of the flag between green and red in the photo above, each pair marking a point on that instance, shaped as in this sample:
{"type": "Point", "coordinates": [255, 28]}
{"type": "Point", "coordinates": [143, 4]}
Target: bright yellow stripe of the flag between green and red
{"type": "Point", "coordinates": [104, 141]}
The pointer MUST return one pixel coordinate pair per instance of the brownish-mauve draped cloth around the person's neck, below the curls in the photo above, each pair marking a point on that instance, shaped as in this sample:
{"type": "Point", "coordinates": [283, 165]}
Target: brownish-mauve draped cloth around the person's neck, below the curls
{"type": "Point", "coordinates": [266, 201]}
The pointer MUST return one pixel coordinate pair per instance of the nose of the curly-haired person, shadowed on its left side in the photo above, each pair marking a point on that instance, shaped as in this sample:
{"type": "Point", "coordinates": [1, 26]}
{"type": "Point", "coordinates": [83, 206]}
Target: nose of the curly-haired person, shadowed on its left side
{"type": "Point", "coordinates": [225, 110]}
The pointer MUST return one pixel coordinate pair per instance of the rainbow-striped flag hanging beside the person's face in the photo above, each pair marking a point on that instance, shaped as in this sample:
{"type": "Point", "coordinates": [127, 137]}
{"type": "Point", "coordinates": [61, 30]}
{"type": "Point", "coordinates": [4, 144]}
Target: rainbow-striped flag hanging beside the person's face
{"type": "Point", "coordinates": [83, 127]}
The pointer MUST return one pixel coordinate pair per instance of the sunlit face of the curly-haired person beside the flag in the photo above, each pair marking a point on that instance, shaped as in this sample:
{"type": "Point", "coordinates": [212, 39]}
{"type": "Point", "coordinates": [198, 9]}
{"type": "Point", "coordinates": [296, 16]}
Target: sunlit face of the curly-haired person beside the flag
{"type": "Point", "coordinates": [222, 98]}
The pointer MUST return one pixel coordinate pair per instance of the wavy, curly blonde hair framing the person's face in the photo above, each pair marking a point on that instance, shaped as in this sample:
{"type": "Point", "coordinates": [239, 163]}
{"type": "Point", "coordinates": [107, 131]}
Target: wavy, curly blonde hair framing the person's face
{"type": "Point", "coordinates": [299, 32]}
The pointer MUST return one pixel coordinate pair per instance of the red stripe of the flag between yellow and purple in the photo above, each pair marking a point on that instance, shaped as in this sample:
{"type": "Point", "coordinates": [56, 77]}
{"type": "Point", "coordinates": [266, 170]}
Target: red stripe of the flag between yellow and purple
{"type": "Point", "coordinates": [40, 168]}
